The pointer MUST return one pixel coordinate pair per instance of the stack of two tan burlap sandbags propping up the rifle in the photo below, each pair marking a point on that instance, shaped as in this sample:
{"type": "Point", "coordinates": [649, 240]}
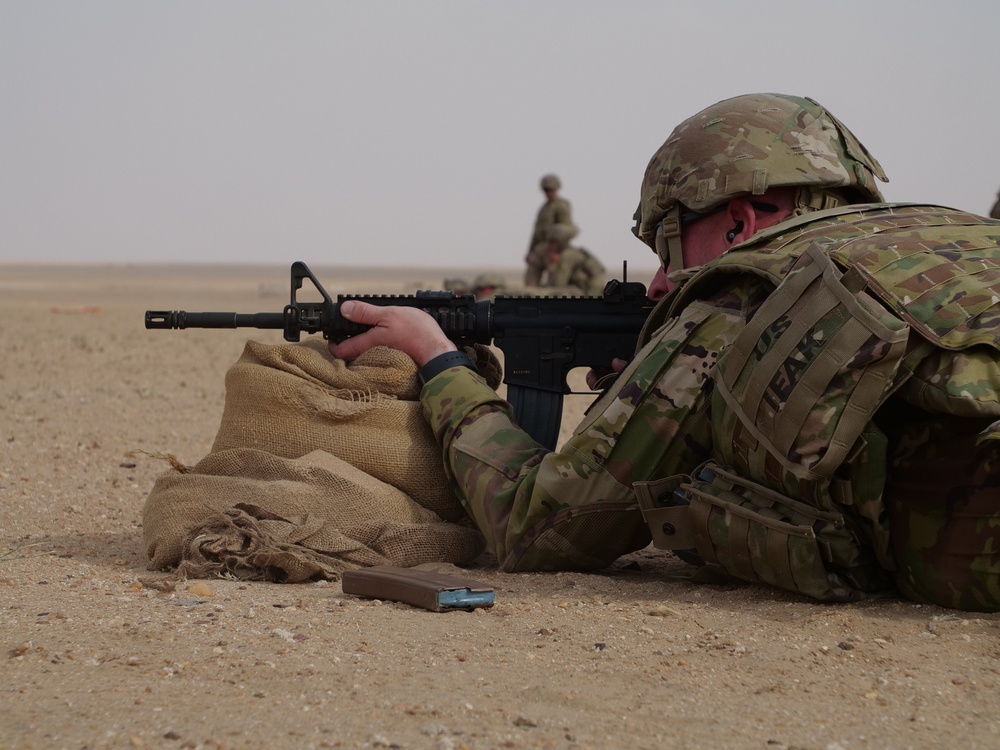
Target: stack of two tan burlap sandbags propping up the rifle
{"type": "Point", "coordinates": [317, 466]}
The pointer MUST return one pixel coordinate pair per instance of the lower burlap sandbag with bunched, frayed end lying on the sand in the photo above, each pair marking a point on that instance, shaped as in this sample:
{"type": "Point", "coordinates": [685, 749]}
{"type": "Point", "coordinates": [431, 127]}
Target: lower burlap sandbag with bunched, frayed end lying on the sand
{"type": "Point", "coordinates": [315, 503]}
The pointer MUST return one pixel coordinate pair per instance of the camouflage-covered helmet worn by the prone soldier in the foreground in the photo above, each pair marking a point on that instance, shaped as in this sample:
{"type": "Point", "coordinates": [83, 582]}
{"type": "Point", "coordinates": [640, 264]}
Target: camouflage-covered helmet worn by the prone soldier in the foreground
{"type": "Point", "coordinates": [743, 146]}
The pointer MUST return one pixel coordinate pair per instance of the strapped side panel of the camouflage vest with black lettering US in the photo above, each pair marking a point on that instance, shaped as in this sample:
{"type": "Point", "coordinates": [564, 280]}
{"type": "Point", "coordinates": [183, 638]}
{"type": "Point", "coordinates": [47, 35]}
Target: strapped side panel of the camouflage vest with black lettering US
{"type": "Point", "coordinates": [806, 374]}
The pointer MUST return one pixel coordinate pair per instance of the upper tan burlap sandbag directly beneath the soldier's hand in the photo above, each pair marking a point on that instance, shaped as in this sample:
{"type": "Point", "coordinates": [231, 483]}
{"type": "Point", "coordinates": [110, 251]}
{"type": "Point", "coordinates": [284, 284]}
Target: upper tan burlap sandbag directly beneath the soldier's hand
{"type": "Point", "coordinates": [292, 399]}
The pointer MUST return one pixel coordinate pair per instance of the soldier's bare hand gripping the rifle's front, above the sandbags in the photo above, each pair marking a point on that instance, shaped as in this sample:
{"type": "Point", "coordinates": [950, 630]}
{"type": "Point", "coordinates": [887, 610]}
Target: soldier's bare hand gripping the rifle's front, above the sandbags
{"type": "Point", "coordinates": [405, 328]}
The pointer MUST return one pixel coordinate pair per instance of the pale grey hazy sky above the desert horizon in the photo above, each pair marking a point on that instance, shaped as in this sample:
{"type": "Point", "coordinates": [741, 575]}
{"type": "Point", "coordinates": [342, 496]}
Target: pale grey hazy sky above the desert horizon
{"type": "Point", "coordinates": [414, 133]}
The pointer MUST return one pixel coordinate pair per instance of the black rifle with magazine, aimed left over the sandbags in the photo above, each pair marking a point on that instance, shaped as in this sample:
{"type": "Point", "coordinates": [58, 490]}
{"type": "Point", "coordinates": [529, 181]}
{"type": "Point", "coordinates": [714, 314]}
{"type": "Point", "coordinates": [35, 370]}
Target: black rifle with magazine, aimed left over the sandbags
{"type": "Point", "coordinates": [542, 338]}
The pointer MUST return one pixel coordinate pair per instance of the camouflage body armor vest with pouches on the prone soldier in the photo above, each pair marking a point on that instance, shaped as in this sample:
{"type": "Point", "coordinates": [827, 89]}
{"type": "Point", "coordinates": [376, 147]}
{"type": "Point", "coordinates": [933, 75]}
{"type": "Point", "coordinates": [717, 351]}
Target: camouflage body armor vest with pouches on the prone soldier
{"type": "Point", "coordinates": [868, 302]}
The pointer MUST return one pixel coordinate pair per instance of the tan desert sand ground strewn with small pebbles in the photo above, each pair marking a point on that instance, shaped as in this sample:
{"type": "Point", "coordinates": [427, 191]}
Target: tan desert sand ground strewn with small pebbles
{"type": "Point", "coordinates": [99, 652]}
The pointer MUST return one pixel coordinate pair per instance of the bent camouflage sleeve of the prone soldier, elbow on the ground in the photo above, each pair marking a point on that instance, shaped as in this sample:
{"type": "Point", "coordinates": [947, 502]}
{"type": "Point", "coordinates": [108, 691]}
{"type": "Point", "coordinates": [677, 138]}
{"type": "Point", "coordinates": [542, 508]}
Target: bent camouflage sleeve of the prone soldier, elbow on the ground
{"type": "Point", "coordinates": [575, 508]}
